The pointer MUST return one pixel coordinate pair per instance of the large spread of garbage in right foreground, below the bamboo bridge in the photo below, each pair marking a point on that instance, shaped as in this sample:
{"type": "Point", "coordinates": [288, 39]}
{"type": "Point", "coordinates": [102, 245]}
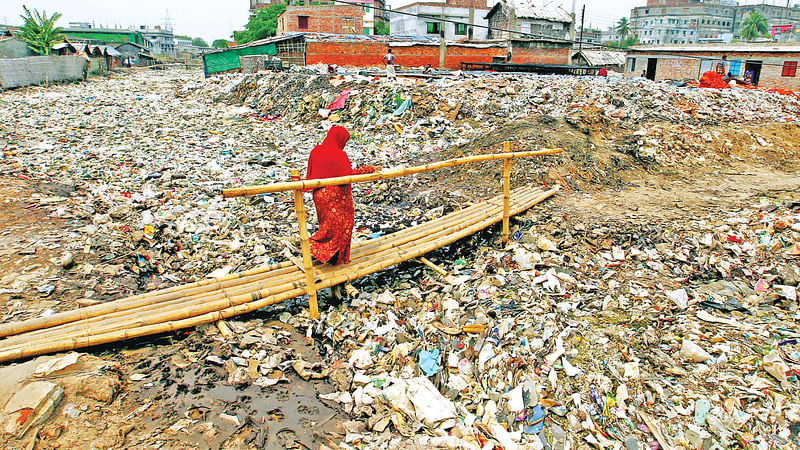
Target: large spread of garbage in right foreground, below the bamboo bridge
{"type": "Point", "coordinates": [606, 334]}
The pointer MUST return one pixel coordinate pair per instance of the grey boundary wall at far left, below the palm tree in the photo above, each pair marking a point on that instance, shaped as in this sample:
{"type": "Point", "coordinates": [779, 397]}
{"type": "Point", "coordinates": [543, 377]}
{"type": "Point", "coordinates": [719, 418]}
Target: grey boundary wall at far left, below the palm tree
{"type": "Point", "coordinates": [40, 69]}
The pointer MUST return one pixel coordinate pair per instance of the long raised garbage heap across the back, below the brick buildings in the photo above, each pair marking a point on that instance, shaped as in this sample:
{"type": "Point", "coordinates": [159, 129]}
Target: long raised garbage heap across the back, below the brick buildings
{"type": "Point", "coordinates": [363, 101]}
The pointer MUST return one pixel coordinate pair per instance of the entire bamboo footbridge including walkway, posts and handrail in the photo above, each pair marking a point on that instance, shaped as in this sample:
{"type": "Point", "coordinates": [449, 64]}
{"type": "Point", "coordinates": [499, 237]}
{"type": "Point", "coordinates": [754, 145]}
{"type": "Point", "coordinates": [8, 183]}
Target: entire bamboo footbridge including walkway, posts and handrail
{"type": "Point", "coordinates": [211, 300]}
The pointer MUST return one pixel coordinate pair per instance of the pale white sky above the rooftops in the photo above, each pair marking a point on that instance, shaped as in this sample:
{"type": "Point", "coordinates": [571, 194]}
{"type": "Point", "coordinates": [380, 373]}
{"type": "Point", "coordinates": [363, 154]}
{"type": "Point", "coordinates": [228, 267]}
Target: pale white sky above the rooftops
{"type": "Point", "coordinates": [217, 19]}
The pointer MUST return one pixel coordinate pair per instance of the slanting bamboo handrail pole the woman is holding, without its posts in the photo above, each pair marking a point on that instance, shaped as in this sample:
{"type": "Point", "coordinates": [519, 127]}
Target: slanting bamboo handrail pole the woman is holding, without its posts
{"type": "Point", "coordinates": [382, 175]}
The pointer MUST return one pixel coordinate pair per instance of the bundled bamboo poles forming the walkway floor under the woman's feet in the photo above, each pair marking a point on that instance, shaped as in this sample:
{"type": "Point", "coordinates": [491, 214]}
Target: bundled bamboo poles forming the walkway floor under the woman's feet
{"type": "Point", "coordinates": [210, 300]}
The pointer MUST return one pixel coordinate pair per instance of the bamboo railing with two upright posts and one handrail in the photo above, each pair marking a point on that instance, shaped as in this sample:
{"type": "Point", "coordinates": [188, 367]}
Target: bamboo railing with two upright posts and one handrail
{"type": "Point", "coordinates": [297, 186]}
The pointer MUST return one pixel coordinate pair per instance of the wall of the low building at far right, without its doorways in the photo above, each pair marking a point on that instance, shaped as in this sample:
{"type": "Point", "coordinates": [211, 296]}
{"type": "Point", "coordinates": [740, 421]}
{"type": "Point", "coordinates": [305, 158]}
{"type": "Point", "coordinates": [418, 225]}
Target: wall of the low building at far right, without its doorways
{"type": "Point", "coordinates": [674, 67]}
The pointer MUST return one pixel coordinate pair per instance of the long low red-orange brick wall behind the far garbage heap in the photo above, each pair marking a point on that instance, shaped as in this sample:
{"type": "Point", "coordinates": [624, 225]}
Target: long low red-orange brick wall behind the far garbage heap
{"type": "Point", "coordinates": [369, 54]}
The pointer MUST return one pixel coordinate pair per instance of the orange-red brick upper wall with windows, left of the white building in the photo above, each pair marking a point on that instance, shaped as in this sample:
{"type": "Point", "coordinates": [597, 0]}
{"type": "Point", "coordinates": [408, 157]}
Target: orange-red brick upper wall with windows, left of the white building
{"type": "Point", "coordinates": [321, 18]}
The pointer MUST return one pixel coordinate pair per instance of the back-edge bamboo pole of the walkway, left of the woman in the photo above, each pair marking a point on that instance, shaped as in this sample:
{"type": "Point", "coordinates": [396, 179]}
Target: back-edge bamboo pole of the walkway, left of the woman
{"type": "Point", "coordinates": [119, 305]}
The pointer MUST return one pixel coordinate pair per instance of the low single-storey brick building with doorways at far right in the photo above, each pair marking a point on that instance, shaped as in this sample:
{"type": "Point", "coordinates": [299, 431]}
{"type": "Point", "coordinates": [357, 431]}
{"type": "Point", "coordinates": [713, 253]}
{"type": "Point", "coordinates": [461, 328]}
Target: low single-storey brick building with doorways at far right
{"type": "Point", "coordinates": [773, 66]}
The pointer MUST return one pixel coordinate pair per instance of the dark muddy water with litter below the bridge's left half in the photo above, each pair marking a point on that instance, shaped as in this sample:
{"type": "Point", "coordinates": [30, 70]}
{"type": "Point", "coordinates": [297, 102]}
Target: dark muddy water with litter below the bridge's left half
{"type": "Point", "coordinates": [287, 415]}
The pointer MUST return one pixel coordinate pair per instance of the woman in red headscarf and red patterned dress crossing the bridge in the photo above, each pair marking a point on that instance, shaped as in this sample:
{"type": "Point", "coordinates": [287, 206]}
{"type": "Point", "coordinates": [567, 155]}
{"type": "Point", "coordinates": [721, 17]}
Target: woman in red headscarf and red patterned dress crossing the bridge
{"type": "Point", "coordinates": [331, 243]}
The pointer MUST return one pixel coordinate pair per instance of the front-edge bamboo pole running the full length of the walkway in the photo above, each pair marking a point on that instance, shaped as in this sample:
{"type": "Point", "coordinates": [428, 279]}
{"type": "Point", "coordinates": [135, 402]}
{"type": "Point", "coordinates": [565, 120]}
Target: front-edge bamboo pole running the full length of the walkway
{"type": "Point", "coordinates": [256, 301]}
